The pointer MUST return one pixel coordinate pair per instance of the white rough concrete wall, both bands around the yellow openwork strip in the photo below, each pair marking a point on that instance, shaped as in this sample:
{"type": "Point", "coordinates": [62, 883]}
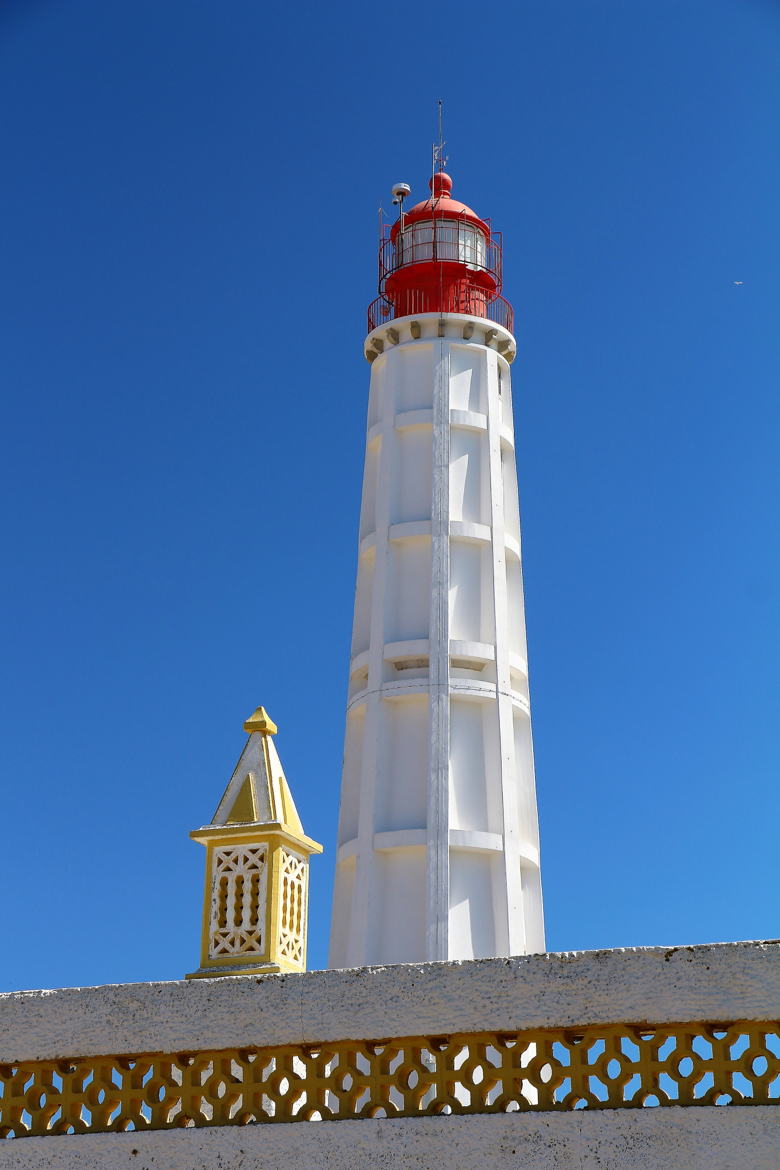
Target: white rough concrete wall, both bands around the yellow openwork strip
{"type": "Point", "coordinates": [719, 982]}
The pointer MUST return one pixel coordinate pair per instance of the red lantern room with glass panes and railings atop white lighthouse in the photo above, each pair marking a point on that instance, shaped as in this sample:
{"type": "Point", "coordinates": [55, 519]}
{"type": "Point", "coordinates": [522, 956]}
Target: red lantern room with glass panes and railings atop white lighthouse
{"type": "Point", "coordinates": [440, 258]}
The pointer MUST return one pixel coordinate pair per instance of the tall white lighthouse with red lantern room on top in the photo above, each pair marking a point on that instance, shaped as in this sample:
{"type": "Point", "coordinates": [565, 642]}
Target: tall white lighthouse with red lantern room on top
{"type": "Point", "coordinates": [439, 844]}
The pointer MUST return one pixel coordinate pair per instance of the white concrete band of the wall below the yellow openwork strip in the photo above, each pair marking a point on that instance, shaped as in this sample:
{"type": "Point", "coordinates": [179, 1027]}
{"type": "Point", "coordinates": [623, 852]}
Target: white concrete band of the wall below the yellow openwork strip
{"type": "Point", "coordinates": [696, 1139]}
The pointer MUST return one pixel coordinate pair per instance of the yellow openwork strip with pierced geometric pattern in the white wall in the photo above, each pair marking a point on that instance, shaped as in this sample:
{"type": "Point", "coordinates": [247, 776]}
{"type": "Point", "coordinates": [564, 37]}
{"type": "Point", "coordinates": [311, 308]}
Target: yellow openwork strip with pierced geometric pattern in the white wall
{"type": "Point", "coordinates": [610, 1068]}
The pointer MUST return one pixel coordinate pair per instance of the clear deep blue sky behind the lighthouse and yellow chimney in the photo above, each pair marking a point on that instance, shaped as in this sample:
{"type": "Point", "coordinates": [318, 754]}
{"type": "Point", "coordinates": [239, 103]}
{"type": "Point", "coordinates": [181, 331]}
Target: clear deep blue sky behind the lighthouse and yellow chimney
{"type": "Point", "coordinates": [189, 217]}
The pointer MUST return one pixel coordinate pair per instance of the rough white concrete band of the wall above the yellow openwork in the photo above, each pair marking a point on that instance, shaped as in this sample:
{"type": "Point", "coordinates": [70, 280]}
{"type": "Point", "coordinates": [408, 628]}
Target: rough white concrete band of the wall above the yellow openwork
{"type": "Point", "coordinates": [717, 982]}
